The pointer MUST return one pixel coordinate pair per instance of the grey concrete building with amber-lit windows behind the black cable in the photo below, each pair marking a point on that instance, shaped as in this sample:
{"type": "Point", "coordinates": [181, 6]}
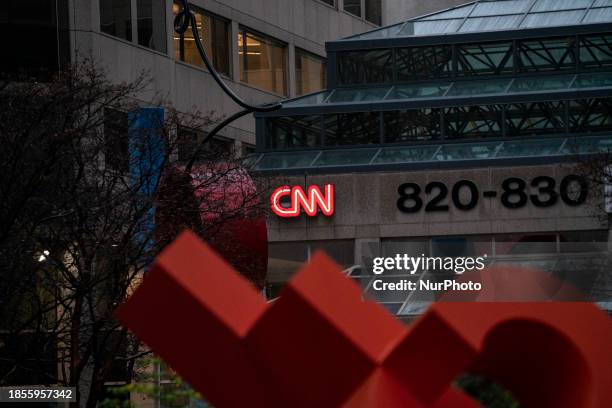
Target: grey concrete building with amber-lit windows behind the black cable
{"type": "Point", "coordinates": [264, 49]}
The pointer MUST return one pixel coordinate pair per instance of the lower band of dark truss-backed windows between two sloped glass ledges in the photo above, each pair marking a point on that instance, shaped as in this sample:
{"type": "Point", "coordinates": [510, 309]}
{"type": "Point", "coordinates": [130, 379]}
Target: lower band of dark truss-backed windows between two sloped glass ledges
{"type": "Point", "coordinates": [425, 124]}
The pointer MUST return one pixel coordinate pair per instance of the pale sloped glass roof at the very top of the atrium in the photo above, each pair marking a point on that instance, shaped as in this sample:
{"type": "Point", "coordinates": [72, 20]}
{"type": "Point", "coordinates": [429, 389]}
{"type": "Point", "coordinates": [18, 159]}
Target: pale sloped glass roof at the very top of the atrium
{"type": "Point", "coordinates": [487, 15]}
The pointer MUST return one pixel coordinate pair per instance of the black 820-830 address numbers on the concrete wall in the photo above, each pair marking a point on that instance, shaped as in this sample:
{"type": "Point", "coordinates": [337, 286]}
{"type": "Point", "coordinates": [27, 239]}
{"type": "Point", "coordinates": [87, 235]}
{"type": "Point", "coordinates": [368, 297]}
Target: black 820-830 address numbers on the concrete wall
{"type": "Point", "coordinates": [515, 193]}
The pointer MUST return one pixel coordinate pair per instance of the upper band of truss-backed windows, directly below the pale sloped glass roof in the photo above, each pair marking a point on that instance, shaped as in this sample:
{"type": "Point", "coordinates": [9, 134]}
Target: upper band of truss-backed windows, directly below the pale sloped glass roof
{"type": "Point", "coordinates": [463, 60]}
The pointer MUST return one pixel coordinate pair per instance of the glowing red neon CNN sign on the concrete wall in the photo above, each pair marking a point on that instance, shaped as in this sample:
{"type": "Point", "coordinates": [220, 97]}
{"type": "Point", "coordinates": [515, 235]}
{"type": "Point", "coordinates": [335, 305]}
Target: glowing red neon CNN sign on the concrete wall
{"type": "Point", "coordinates": [310, 203]}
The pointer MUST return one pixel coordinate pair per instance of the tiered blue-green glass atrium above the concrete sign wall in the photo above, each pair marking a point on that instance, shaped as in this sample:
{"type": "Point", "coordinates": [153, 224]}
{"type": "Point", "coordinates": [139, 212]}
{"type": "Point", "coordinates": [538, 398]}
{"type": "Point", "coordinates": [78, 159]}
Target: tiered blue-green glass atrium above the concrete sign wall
{"type": "Point", "coordinates": [526, 81]}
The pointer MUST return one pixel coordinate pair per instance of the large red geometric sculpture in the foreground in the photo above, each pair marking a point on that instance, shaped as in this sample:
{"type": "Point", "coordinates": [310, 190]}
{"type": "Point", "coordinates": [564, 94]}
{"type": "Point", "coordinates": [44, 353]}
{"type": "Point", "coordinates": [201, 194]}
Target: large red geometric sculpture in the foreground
{"type": "Point", "coordinates": [320, 345]}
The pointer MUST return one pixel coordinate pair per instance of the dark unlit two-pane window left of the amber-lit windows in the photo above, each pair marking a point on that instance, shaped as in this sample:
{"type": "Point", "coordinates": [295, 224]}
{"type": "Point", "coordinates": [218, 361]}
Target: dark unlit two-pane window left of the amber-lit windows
{"type": "Point", "coordinates": [116, 19]}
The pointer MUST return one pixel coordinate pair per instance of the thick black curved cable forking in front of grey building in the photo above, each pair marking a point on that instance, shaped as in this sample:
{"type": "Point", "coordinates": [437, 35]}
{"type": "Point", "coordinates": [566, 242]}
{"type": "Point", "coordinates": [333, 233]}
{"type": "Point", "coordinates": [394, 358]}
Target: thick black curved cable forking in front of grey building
{"type": "Point", "coordinates": [182, 21]}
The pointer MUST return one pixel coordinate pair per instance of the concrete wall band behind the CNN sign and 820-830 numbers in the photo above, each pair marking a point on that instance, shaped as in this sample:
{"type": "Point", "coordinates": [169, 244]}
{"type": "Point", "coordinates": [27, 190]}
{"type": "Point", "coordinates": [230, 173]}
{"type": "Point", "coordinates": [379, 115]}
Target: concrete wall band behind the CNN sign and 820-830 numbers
{"type": "Point", "coordinates": [366, 207]}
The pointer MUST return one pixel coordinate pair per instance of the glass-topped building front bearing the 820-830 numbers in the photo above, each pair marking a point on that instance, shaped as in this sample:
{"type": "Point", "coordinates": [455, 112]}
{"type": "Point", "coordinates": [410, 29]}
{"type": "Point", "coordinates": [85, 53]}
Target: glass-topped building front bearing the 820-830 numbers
{"type": "Point", "coordinates": [463, 133]}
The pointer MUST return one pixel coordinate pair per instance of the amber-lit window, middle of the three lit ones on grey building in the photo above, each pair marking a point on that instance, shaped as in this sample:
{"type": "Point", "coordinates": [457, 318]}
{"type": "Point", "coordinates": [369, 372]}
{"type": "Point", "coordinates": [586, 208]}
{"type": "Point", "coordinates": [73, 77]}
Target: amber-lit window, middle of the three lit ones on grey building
{"type": "Point", "coordinates": [263, 62]}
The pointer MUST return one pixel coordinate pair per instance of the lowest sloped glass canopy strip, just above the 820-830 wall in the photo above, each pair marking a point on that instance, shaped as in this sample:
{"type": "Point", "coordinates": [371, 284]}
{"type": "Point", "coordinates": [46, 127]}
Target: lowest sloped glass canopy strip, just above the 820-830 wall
{"type": "Point", "coordinates": [431, 154]}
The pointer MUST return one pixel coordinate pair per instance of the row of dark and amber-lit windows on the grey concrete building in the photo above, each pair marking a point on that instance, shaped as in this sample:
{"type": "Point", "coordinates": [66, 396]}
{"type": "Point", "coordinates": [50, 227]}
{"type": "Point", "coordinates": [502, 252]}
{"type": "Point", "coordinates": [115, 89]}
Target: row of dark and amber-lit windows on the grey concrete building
{"type": "Point", "coordinates": [263, 60]}
